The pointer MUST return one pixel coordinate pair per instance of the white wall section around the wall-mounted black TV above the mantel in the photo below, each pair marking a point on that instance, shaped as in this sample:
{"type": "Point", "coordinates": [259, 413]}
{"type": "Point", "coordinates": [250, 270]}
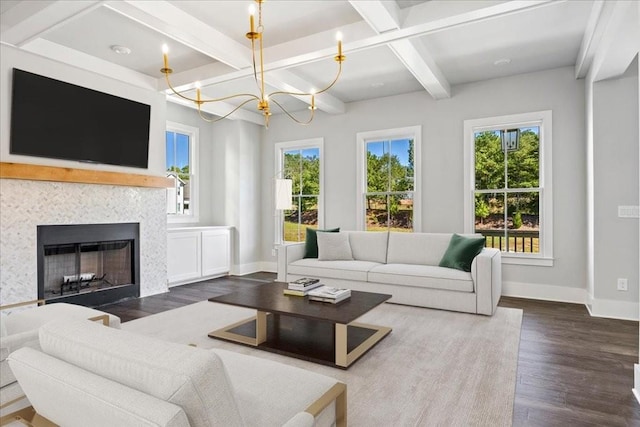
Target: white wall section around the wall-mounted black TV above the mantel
{"type": "Point", "coordinates": [14, 58]}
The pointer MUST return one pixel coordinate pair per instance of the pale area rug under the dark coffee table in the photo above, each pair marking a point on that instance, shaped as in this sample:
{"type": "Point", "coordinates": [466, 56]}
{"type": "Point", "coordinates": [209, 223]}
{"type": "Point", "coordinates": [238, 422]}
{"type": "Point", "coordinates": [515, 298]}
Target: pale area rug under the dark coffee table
{"type": "Point", "coordinates": [437, 368]}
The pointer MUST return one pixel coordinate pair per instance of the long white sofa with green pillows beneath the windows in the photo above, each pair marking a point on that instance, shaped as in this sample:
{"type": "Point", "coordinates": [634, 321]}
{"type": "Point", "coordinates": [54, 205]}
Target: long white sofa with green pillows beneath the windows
{"type": "Point", "coordinates": [404, 265]}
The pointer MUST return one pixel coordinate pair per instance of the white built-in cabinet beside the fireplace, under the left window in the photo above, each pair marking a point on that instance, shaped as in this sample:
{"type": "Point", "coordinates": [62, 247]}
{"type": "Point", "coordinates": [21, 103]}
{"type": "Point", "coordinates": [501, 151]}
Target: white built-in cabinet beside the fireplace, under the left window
{"type": "Point", "coordinates": [197, 253]}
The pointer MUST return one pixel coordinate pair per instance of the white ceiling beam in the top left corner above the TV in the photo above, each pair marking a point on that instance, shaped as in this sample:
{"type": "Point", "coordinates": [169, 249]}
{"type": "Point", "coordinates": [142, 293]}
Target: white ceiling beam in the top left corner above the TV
{"type": "Point", "coordinates": [29, 20]}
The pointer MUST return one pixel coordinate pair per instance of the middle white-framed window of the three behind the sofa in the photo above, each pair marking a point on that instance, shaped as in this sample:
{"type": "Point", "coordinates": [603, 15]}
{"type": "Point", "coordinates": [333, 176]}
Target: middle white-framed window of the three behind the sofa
{"type": "Point", "coordinates": [389, 180]}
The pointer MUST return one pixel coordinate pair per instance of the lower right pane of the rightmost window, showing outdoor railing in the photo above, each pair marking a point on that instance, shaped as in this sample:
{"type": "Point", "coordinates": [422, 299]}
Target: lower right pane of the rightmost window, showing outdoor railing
{"type": "Point", "coordinates": [523, 222]}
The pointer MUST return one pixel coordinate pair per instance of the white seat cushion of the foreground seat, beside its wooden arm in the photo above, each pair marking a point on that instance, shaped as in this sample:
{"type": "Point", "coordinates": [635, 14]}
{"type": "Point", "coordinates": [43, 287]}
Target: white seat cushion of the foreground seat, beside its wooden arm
{"type": "Point", "coordinates": [253, 377]}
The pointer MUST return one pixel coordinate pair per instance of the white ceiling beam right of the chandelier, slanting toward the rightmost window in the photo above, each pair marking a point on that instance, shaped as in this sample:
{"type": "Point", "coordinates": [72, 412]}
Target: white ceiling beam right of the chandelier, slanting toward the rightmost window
{"type": "Point", "coordinates": [384, 17]}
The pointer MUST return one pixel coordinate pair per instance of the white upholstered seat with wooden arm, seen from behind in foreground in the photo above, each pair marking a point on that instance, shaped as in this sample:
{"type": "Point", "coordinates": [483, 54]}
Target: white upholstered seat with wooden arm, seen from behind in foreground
{"type": "Point", "coordinates": [88, 374]}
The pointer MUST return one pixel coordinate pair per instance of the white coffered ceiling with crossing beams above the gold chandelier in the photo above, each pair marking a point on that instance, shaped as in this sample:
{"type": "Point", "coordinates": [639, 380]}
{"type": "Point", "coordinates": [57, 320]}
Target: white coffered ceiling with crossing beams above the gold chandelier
{"type": "Point", "coordinates": [392, 47]}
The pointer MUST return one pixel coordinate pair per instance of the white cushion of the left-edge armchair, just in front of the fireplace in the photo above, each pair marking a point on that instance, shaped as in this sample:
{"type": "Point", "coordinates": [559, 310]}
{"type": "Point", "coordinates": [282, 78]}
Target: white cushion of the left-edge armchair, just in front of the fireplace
{"type": "Point", "coordinates": [32, 318]}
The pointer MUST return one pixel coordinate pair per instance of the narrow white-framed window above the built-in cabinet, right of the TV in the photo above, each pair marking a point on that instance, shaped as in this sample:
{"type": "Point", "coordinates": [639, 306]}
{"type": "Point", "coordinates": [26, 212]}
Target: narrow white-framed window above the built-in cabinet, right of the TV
{"type": "Point", "coordinates": [181, 145]}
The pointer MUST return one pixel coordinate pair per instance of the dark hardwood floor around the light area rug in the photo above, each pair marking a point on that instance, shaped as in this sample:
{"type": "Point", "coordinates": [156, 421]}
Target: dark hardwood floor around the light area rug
{"type": "Point", "coordinates": [573, 369]}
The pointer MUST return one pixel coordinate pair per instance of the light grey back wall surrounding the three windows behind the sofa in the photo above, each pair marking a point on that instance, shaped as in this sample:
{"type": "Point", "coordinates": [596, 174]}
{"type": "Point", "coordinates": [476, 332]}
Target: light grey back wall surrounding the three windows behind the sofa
{"type": "Point", "coordinates": [442, 160]}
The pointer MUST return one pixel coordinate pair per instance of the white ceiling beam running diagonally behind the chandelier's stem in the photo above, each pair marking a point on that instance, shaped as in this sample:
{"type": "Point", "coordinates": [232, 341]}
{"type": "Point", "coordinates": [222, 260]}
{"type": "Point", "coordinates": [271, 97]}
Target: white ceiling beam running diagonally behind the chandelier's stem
{"type": "Point", "coordinates": [167, 19]}
